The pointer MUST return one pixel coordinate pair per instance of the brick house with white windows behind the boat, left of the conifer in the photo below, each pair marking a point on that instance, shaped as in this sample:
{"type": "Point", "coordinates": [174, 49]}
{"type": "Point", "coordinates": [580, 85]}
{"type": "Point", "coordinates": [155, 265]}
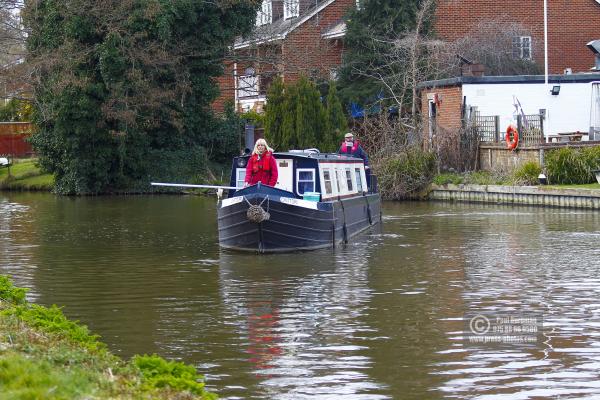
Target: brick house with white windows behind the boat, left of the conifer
{"type": "Point", "coordinates": [292, 37]}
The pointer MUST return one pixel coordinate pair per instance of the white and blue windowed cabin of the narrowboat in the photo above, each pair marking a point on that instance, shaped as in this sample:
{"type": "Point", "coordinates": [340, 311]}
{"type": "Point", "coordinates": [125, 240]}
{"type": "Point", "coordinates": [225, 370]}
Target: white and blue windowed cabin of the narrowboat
{"type": "Point", "coordinates": [310, 174]}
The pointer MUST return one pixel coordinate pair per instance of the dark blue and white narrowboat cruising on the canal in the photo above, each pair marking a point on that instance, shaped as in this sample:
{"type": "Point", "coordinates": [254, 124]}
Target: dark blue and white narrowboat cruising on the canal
{"type": "Point", "coordinates": [320, 200]}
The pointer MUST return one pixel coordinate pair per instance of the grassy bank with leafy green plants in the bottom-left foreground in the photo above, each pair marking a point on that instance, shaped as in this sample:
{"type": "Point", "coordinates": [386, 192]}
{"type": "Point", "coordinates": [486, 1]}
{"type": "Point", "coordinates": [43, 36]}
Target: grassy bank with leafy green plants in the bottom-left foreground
{"type": "Point", "coordinates": [43, 355]}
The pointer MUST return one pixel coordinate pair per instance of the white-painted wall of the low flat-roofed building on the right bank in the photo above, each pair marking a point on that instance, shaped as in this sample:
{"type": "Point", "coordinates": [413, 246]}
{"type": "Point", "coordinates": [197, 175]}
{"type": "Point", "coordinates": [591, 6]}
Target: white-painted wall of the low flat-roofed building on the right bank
{"type": "Point", "coordinates": [567, 112]}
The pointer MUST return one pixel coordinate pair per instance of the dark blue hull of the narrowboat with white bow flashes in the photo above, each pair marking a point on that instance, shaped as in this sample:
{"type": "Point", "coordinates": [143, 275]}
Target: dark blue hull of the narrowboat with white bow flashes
{"type": "Point", "coordinates": [290, 227]}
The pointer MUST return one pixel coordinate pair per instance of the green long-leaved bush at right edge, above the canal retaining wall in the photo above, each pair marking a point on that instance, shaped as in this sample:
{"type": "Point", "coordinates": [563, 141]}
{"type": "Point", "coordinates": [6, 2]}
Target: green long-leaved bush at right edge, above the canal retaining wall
{"type": "Point", "coordinates": [570, 166]}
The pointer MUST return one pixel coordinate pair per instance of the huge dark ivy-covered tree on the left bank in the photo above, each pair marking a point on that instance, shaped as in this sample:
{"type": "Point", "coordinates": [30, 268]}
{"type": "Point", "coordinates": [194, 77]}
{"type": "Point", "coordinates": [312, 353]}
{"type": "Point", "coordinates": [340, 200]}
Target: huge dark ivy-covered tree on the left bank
{"type": "Point", "coordinates": [118, 80]}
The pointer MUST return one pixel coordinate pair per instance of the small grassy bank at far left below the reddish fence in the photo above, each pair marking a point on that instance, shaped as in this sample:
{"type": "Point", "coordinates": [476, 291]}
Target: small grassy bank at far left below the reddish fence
{"type": "Point", "coordinates": [25, 175]}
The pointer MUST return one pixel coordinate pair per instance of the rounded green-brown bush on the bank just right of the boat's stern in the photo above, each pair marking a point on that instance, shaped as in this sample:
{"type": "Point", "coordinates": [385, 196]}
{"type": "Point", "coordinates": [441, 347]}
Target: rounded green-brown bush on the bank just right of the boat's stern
{"type": "Point", "coordinates": [406, 174]}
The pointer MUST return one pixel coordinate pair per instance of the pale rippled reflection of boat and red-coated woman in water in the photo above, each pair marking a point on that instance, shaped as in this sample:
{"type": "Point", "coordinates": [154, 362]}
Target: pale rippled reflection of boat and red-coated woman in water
{"type": "Point", "coordinates": [302, 327]}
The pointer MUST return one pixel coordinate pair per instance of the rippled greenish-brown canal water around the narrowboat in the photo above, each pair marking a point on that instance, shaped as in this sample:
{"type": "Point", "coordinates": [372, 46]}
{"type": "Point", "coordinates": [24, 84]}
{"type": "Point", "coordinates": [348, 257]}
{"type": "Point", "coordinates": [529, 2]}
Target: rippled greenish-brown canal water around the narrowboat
{"type": "Point", "coordinates": [385, 317]}
